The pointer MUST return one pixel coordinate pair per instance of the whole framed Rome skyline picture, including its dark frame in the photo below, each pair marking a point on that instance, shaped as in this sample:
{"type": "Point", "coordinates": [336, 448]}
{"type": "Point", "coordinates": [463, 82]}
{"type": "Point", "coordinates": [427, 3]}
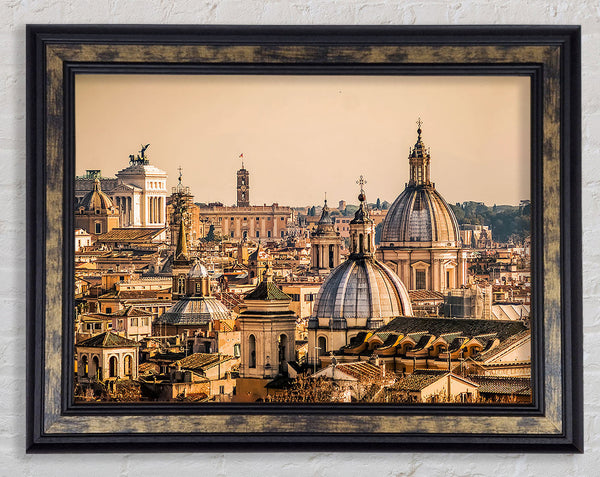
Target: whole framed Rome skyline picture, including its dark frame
{"type": "Point", "coordinates": [375, 300]}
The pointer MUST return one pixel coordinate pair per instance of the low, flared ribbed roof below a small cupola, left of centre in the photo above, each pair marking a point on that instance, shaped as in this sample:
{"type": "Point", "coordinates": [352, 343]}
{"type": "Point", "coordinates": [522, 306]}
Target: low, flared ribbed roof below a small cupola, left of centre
{"type": "Point", "coordinates": [195, 311]}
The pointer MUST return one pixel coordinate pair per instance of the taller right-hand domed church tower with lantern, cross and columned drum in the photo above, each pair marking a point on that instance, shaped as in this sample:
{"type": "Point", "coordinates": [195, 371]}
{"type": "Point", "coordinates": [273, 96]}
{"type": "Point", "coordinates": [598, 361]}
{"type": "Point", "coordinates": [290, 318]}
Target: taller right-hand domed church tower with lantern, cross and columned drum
{"type": "Point", "coordinates": [420, 238]}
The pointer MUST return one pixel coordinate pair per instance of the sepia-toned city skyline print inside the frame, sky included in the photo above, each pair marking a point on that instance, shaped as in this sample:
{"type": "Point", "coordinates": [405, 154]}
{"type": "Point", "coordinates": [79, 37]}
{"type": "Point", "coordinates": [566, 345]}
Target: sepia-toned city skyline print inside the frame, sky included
{"type": "Point", "coordinates": [302, 239]}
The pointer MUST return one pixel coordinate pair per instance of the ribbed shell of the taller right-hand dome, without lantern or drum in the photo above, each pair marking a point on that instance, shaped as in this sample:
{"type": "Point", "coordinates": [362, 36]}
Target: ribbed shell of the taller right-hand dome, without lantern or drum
{"type": "Point", "coordinates": [420, 214]}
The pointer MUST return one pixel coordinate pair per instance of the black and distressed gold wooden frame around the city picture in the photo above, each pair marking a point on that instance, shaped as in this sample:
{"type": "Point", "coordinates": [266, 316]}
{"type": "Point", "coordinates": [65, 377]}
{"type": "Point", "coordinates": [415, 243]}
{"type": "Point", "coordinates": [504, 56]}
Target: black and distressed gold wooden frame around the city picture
{"type": "Point", "coordinates": [549, 55]}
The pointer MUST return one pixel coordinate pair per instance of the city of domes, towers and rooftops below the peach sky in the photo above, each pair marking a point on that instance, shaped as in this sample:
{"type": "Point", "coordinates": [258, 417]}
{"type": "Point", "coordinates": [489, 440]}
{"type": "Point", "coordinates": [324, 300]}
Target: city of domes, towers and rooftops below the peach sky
{"type": "Point", "coordinates": [365, 298]}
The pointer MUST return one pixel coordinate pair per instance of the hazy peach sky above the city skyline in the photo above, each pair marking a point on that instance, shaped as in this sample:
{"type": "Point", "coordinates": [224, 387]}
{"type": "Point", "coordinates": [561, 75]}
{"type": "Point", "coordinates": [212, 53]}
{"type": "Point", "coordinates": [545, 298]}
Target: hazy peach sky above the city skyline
{"type": "Point", "coordinates": [302, 136]}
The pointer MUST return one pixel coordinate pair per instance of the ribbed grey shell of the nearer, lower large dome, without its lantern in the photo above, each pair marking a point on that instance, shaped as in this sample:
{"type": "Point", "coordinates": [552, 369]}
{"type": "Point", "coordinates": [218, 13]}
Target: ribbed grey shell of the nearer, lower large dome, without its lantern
{"type": "Point", "coordinates": [362, 288]}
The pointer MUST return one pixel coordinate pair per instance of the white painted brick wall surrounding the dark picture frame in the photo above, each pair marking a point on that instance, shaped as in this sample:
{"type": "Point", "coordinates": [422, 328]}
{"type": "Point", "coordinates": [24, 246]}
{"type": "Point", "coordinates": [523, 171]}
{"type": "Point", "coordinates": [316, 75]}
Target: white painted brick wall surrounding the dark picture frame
{"type": "Point", "coordinates": [15, 14]}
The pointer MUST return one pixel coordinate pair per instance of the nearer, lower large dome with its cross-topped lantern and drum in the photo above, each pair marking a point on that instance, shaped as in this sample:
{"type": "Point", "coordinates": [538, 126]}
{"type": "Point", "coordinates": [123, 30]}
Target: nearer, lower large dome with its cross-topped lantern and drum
{"type": "Point", "coordinates": [360, 294]}
